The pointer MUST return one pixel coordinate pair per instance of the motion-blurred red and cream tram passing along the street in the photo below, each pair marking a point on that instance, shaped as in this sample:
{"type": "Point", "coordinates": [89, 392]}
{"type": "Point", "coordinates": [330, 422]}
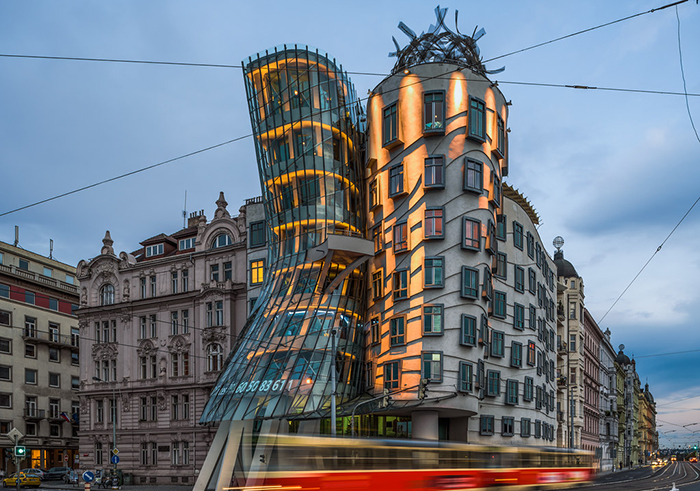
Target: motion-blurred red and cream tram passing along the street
{"type": "Point", "coordinates": [323, 463]}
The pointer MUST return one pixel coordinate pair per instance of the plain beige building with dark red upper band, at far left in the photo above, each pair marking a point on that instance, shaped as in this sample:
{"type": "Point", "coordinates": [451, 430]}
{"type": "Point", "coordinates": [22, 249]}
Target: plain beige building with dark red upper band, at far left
{"type": "Point", "coordinates": [39, 358]}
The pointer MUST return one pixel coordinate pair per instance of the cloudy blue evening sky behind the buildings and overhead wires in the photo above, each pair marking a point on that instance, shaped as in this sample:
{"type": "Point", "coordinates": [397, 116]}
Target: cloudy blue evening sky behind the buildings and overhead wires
{"type": "Point", "coordinates": [613, 172]}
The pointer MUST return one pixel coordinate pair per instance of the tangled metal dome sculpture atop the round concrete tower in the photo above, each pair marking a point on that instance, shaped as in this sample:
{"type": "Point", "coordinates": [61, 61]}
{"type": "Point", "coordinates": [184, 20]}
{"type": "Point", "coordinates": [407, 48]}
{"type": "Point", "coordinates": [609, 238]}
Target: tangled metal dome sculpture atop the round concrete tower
{"type": "Point", "coordinates": [440, 44]}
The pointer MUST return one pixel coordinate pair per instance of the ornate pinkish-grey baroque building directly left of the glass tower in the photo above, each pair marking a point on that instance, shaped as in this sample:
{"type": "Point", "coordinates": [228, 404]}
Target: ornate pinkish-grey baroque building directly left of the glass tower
{"type": "Point", "coordinates": [156, 325]}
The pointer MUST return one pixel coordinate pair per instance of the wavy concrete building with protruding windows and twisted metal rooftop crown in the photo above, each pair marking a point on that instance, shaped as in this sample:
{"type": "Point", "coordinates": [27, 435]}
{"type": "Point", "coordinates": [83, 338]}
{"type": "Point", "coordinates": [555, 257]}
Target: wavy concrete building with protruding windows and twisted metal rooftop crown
{"type": "Point", "coordinates": [461, 288]}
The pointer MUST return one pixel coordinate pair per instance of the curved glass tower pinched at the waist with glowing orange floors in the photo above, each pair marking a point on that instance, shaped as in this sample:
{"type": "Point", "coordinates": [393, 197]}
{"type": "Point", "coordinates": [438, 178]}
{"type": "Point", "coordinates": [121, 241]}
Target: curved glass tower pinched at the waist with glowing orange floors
{"type": "Point", "coordinates": [306, 125]}
